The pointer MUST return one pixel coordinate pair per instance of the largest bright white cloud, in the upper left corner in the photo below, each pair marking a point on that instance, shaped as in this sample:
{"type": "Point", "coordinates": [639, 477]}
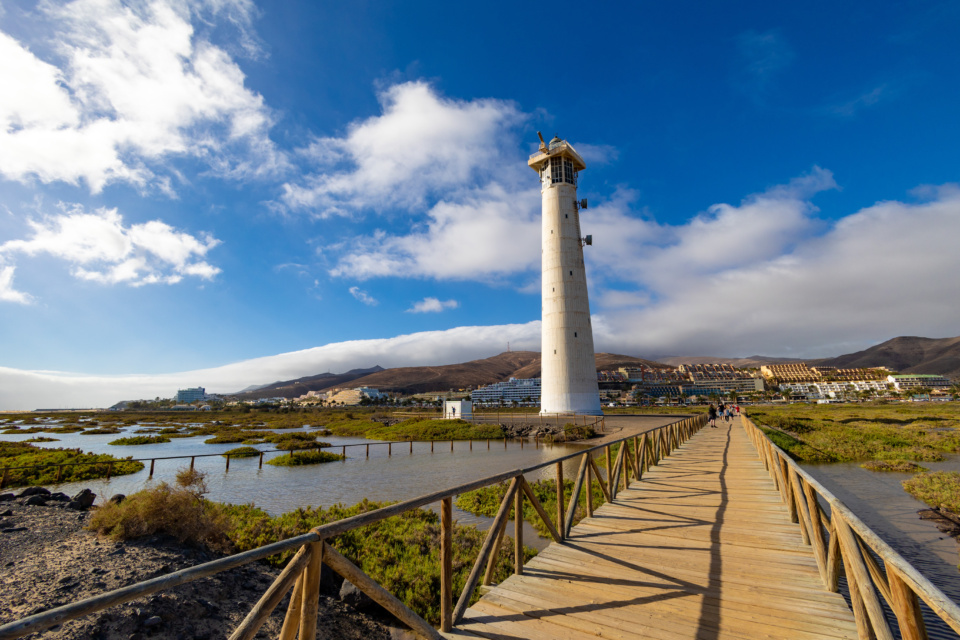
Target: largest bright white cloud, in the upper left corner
{"type": "Point", "coordinates": [124, 88]}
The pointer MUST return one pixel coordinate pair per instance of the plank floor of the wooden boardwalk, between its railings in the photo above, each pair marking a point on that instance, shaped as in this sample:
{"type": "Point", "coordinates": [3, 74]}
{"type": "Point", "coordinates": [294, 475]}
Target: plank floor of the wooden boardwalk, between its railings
{"type": "Point", "coordinates": [701, 548]}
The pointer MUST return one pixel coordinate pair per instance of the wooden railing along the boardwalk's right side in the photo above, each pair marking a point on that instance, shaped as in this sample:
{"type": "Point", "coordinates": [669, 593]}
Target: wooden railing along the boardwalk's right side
{"type": "Point", "coordinates": [850, 543]}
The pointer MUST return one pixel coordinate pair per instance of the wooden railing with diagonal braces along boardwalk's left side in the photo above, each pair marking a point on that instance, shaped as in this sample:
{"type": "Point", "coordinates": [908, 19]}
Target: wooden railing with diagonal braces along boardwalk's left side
{"type": "Point", "coordinates": [302, 573]}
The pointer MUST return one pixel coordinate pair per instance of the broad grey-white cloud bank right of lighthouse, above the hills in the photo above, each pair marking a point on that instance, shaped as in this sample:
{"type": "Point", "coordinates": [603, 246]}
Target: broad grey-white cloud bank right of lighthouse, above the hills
{"type": "Point", "coordinates": [873, 275]}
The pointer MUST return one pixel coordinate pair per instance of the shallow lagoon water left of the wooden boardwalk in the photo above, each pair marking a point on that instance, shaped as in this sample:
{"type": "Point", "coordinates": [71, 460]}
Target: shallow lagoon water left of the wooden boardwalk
{"type": "Point", "coordinates": [400, 476]}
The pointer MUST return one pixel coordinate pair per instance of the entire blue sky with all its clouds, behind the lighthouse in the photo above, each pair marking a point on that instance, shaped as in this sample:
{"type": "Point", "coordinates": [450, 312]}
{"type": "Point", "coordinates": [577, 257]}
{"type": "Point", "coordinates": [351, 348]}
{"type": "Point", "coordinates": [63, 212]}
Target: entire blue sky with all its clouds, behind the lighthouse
{"type": "Point", "coordinates": [192, 188]}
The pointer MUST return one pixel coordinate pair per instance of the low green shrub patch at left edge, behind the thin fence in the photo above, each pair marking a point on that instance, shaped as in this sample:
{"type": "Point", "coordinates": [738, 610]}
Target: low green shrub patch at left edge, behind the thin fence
{"type": "Point", "coordinates": [21, 454]}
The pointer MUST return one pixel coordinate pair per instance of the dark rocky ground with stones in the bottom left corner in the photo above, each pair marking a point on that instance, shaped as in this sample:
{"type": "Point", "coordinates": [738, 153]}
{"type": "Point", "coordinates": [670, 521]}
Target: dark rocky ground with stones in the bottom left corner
{"type": "Point", "coordinates": [48, 559]}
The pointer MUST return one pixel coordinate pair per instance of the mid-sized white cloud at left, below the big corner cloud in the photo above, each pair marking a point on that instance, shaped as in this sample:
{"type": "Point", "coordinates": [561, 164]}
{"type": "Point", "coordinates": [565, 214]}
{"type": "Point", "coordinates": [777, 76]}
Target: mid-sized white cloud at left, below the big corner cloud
{"type": "Point", "coordinates": [100, 248]}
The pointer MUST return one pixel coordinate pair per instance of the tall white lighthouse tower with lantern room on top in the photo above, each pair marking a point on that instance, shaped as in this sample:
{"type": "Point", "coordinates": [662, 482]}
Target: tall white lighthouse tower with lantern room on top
{"type": "Point", "coordinates": [569, 370]}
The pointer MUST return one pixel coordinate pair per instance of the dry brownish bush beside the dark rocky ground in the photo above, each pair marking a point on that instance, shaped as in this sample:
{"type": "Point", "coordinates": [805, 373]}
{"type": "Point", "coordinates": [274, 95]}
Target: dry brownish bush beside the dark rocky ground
{"type": "Point", "coordinates": [179, 511]}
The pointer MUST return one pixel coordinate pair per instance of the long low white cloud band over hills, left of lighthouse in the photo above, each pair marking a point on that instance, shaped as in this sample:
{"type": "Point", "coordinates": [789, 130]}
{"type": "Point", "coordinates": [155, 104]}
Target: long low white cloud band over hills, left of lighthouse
{"type": "Point", "coordinates": [20, 389]}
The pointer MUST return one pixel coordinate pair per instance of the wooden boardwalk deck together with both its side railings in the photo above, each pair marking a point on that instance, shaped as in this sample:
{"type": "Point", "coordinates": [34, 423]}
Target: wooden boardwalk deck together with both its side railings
{"type": "Point", "coordinates": [631, 569]}
